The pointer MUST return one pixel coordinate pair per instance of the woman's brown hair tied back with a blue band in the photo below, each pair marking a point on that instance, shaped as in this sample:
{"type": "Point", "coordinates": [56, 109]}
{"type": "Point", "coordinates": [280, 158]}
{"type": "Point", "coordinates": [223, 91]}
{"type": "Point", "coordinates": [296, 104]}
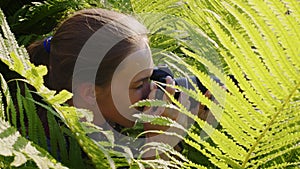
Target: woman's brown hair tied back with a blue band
{"type": "Point", "coordinates": [72, 35]}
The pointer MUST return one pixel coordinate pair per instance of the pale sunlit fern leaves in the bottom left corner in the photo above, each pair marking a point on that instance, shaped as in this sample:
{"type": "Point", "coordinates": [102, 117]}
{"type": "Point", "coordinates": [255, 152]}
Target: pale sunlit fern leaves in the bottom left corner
{"type": "Point", "coordinates": [14, 145]}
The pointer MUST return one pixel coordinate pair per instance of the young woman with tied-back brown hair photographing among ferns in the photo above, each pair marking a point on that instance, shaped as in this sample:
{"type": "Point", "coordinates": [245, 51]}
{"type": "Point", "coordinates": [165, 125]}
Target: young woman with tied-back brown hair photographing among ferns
{"type": "Point", "coordinates": [103, 57]}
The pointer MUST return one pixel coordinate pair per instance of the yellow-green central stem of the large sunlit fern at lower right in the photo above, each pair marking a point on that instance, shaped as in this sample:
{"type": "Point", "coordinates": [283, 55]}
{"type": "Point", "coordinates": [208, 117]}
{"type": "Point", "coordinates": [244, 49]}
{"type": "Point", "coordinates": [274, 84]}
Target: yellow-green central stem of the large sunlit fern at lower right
{"type": "Point", "coordinates": [286, 101]}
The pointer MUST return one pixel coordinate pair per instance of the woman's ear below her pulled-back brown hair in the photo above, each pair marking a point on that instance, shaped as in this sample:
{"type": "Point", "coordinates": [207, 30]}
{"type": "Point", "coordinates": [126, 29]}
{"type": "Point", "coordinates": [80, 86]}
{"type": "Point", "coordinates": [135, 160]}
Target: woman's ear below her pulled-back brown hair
{"type": "Point", "coordinates": [85, 95]}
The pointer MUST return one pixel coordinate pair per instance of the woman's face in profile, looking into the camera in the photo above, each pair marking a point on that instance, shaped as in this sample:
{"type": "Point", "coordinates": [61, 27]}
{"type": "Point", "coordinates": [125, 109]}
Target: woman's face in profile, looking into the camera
{"type": "Point", "coordinates": [130, 83]}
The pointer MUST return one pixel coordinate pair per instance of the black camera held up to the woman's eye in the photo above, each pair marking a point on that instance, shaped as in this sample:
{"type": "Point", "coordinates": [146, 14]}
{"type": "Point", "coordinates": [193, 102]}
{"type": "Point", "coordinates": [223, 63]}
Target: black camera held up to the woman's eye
{"type": "Point", "coordinates": [161, 72]}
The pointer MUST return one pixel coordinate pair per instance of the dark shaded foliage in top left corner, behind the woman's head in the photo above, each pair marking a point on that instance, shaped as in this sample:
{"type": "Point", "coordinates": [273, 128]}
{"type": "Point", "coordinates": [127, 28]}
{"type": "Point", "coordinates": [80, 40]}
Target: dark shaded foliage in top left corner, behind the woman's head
{"type": "Point", "coordinates": [33, 20]}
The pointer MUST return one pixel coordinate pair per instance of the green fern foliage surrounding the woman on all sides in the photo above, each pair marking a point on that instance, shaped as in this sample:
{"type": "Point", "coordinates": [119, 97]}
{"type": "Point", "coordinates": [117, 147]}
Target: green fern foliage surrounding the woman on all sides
{"type": "Point", "coordinates": [256, 119]}
